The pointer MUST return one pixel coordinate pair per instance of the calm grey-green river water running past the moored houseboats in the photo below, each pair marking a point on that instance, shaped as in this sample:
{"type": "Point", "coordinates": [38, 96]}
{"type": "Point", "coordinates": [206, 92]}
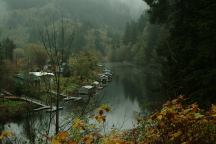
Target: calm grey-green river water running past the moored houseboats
{"type": "Point", "coordinates": [131, 92]}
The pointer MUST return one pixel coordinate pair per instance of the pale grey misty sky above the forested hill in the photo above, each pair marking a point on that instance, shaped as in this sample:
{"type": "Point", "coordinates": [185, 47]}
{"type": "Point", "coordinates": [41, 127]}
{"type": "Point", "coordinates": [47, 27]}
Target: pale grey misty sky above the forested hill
{"type": "Point", "coordinates": [107, 11]}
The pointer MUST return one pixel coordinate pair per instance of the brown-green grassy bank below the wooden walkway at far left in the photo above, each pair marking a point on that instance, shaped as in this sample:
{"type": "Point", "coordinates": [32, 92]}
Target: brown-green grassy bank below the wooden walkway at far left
{"type": "Point", "coordinates": [11, 110]}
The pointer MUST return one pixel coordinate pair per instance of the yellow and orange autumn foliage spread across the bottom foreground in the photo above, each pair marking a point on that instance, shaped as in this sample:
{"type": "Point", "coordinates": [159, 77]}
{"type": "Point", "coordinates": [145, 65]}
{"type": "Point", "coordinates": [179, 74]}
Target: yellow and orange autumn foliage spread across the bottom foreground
{"type": "Point", "coordinates": [176, 123]}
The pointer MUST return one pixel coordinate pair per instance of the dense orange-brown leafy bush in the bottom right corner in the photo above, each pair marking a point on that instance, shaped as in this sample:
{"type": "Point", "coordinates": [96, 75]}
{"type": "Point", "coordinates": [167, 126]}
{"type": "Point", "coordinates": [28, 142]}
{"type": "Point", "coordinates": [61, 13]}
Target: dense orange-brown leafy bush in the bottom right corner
{"type": "Point", "coordinates": [178, 123]}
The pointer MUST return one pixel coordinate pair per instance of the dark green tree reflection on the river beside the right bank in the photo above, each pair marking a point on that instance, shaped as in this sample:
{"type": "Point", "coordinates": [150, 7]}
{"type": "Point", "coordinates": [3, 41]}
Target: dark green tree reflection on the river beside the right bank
{"type": "Point", "coordinates": [141, 85]}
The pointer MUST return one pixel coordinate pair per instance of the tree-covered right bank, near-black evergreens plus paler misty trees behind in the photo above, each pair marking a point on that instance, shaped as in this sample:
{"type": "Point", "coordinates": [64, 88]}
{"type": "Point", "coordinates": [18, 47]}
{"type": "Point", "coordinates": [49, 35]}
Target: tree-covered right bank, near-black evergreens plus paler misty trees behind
{"type": "Point", "coordinates": [177, 39]}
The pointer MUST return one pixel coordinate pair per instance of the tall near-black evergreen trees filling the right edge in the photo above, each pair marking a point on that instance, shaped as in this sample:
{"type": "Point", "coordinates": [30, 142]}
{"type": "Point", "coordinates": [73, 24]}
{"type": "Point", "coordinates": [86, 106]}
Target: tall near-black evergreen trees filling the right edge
{"type": "Point", "coordinates": [188, 53]}
